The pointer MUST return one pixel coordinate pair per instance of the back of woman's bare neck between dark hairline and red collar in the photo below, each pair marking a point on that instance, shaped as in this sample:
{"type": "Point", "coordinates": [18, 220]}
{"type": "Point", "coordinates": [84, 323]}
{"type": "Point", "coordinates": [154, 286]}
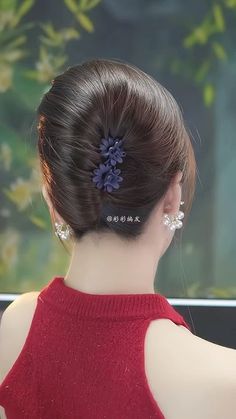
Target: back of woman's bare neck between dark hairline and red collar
{"type": "Point", "coordinates": [112, 266]}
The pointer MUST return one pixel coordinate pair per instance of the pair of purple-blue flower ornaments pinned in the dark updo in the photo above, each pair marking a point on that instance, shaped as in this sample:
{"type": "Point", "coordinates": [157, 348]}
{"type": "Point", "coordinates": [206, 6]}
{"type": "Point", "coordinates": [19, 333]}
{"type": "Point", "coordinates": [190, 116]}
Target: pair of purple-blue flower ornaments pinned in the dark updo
{"type": "Point", "coordinates": [107, 176]}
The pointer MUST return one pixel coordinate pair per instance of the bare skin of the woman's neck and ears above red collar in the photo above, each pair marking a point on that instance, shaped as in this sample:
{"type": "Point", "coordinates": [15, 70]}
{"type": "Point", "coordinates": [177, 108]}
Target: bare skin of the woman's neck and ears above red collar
{"type": "Point", "coordinates": [139, 259]}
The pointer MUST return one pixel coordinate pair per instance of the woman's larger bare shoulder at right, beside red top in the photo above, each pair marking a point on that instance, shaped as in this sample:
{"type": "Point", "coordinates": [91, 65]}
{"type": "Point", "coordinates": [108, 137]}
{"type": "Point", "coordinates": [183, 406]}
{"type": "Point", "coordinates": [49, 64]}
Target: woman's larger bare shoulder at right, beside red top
{"type": "Point", "coordinates": [197, 376]}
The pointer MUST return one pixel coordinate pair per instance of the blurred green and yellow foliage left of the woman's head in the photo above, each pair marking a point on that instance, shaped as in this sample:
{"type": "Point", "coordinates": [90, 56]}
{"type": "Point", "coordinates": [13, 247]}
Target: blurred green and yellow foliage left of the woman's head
{"type": "Point", "coordinates": [25, 244]}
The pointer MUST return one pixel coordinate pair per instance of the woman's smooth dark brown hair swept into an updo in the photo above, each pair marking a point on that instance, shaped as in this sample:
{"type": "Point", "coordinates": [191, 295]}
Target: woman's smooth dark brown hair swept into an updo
{"type": "Point", "coordinates": [91, 101]}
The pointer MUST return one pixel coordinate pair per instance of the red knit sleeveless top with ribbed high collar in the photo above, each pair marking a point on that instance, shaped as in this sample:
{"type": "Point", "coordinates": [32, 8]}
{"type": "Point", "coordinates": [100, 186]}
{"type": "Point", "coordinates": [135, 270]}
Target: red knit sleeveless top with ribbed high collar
{"type": "Point", "coordinates": [83, 357]}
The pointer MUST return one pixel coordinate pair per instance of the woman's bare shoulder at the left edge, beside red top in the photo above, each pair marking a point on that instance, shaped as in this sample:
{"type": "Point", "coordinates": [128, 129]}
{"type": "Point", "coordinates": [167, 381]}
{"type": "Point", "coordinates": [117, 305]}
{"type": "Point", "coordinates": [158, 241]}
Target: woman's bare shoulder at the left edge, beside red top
{"type": "Point", "coordinates": [14, 327]}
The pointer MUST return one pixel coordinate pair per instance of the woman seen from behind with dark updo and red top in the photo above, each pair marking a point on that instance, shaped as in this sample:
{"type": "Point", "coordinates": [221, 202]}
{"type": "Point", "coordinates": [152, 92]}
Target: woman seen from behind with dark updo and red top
{"type": "Point", "coordinates": [118, 177]}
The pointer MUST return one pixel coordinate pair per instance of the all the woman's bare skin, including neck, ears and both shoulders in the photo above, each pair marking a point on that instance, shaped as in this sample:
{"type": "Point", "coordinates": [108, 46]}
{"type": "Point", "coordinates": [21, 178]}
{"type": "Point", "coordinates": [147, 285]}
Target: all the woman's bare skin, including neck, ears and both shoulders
{"type": "Point", "coordinates": [189, 377]}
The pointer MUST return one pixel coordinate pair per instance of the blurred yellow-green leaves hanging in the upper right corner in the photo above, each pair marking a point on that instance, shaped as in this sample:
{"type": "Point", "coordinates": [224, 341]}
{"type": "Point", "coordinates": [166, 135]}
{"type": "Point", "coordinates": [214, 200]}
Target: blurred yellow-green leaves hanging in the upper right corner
{"type": "Point", "coordinates": [205, 46]}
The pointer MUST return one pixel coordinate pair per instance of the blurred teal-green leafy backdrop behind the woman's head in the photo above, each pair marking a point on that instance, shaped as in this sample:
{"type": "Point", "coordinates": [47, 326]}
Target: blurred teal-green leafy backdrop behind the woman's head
{"type": "Point", "coordinates": [188, 46]}
